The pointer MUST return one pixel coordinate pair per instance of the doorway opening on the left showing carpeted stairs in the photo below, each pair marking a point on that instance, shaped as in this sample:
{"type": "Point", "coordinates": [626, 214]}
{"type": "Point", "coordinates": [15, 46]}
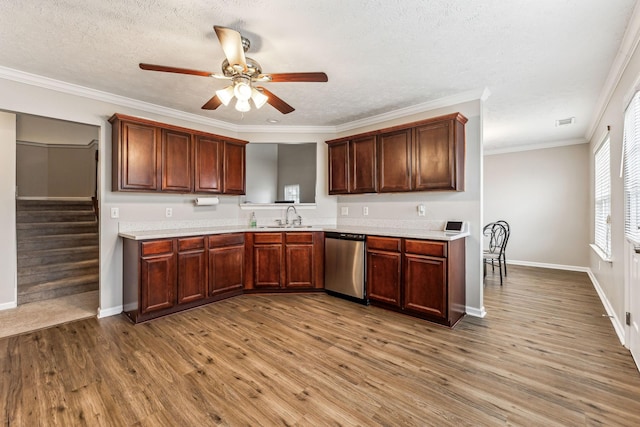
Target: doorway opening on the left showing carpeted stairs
{"type": "Point", "coordinates": [57, 220]}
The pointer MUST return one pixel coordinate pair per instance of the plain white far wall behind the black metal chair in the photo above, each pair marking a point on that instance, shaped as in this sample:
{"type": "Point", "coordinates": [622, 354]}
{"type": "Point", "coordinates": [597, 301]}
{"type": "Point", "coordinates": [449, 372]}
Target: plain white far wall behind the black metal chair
{"type": "Point", "coordinates": [544, 196]}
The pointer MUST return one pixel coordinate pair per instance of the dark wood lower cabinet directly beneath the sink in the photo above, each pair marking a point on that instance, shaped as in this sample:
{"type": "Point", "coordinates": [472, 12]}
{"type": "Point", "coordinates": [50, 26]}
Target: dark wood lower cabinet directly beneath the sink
{"type": "Point", "coordinates": [284, 261]}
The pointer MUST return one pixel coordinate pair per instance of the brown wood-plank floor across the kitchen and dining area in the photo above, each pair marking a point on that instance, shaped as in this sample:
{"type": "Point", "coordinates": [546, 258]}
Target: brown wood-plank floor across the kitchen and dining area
{"type": "Point", "coordinates": [543, 356]}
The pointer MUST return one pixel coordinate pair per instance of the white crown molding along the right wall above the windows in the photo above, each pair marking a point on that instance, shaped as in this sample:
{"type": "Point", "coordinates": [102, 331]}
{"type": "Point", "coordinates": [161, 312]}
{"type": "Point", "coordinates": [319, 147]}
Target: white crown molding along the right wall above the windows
{"type": "Point", "coordinates": [629, 44]}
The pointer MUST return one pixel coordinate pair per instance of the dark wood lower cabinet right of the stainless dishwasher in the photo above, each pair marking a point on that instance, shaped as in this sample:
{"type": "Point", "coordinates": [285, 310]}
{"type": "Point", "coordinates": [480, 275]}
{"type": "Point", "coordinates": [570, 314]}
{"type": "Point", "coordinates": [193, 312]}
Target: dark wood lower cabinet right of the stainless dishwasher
{"type": "Point", "coordinates": [422, 278]}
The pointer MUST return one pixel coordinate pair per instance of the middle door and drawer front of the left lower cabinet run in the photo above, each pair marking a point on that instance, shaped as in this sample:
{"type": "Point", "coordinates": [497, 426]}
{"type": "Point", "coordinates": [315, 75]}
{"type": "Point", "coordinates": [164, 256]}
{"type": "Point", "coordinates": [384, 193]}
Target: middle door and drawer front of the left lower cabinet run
{"type": "Point", "coordinates": [192, 269]}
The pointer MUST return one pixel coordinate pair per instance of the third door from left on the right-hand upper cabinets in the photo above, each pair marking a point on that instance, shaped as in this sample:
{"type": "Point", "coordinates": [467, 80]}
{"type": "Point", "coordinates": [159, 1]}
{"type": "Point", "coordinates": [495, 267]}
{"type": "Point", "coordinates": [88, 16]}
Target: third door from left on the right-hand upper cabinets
{"type": "Point", "coordinates": [394, 161]}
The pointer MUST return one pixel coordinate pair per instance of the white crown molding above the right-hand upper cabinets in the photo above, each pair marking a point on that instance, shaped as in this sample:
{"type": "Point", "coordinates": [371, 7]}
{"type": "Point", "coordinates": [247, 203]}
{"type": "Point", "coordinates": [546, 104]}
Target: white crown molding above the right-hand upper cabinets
{"type": "Point", "coordinates": [472, 95]}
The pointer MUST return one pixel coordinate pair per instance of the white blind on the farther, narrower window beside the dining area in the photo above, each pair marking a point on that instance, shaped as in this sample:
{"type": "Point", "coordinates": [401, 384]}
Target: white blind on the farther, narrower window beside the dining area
{"type": "Point", "coordinates": [603, 198]}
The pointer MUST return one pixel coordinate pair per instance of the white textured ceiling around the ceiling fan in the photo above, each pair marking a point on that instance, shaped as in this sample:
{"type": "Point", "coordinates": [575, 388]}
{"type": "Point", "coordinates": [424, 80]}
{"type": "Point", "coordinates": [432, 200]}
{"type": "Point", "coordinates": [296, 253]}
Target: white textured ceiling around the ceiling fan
{"type": "Point", "coordinates": [541, 60]}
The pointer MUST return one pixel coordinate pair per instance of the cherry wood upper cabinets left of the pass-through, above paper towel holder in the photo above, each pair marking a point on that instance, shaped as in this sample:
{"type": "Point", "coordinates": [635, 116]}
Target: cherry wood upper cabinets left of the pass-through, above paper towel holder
{"type": "Point", "coordinates": [150, 156]}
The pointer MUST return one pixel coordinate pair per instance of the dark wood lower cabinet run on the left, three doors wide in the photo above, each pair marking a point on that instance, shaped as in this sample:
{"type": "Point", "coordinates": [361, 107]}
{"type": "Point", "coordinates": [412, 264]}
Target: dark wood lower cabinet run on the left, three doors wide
{"type": "Point", "coordinates": [169, 275]}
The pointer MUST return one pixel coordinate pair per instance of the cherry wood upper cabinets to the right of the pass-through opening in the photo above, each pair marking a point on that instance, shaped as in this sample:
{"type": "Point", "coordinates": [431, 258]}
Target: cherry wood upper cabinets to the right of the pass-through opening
{"type": "Point", "coordinates": [423, 156]}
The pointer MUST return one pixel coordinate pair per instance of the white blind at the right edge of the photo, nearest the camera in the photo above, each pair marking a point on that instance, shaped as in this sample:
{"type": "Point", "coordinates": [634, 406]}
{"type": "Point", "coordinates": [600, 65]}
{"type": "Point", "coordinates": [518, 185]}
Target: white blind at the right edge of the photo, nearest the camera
{"type": "Point", "coordinates": [631, 170]}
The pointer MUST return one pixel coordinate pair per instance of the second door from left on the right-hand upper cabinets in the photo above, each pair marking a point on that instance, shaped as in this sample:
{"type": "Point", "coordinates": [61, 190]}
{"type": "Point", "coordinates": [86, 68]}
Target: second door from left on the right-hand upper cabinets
{"type": "Point", "coordinates": [363, 165]}
